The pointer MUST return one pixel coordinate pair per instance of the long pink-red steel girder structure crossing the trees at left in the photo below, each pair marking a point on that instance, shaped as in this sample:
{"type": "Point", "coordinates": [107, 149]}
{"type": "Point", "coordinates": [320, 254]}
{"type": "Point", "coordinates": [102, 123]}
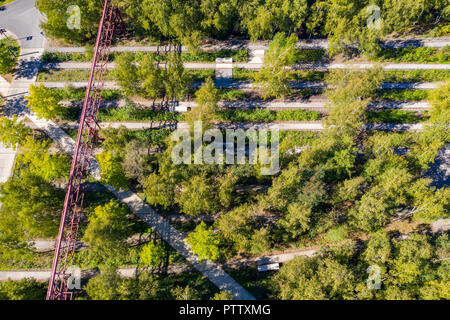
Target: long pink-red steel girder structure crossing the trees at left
{"type": "Point", "coordinates": [87, 133]}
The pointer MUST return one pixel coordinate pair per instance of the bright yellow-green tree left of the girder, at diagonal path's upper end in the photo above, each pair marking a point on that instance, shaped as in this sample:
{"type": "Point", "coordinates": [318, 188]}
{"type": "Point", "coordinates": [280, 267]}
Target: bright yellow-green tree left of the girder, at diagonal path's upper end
{"type": "Point", "coordinates": [44, 102]}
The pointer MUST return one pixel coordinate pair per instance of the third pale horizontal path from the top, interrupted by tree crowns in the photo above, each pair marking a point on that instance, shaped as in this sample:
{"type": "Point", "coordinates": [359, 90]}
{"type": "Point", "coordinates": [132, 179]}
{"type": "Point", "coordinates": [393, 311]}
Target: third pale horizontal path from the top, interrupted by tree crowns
{"type": "Point", "coordinates": [247, 85]}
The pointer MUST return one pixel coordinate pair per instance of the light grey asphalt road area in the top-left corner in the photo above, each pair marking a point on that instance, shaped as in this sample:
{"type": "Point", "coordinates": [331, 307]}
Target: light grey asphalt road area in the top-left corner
{"type": "Point", "coordinates": [22, 18]}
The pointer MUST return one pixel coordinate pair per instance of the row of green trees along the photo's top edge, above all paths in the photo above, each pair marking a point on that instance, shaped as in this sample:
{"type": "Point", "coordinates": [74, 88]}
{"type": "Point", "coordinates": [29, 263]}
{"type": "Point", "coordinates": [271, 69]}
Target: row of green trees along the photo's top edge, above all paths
{"type": "Point", "coordinates": [346, 23]}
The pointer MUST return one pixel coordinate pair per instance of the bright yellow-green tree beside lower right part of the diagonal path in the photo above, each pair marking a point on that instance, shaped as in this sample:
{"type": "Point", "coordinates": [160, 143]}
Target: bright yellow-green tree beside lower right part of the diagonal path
{"type": "Point", "coordinates": [204, 243]}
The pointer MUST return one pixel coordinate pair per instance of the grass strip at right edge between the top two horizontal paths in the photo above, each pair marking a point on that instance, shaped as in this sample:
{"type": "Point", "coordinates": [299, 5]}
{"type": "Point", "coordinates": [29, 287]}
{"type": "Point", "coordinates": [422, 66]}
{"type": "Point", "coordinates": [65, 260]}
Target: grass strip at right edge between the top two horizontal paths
{"type": "Point", "coordinates": [414, 54]}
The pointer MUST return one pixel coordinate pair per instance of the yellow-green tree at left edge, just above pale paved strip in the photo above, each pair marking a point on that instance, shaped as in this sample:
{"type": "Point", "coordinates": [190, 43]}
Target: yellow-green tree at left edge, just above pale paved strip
{"type": "Point", "coordinates": [12, 132]}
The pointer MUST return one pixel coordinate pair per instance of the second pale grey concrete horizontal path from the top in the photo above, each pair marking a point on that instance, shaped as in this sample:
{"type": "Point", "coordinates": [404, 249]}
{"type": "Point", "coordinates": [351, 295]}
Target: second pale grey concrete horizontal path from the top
{"type": "Point", "coordinates": [257, 65]}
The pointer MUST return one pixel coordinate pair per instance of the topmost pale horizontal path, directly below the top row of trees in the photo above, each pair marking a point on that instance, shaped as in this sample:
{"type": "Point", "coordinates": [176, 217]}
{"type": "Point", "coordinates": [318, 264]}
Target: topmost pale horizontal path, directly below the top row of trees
{"type": "Point", "coordinates": [263, 45]}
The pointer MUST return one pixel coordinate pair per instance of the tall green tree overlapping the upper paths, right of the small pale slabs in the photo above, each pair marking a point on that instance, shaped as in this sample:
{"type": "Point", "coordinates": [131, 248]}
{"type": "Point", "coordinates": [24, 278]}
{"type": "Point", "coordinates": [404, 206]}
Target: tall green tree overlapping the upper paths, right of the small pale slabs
{"type": "Point", "coordinates": [272, 78]}
